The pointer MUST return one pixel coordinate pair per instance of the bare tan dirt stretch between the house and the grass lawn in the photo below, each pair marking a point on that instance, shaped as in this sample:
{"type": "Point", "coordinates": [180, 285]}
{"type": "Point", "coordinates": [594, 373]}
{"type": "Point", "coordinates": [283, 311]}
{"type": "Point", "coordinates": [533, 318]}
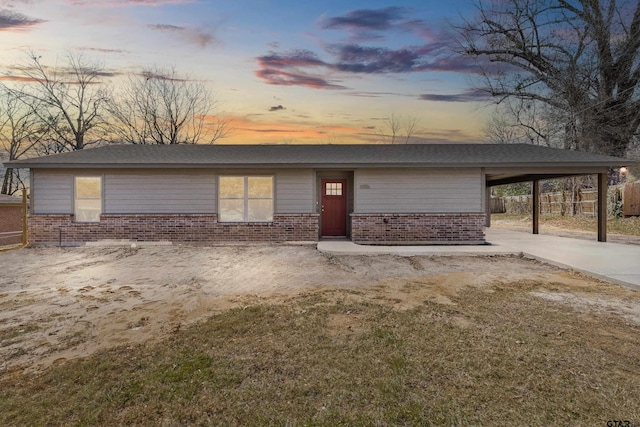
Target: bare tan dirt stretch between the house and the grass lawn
{"type": "Point", "coordinates": [59, 304]}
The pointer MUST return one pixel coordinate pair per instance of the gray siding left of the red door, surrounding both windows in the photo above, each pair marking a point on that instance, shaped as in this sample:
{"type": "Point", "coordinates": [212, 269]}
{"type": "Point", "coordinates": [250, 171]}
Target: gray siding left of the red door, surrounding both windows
{"type": "Point", "coordinates": [165, 191]}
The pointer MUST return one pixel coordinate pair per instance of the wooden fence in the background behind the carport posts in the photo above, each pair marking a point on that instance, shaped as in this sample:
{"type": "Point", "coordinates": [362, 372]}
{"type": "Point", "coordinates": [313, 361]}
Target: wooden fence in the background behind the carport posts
{"type": "Point", "coordinates": [620, 201]}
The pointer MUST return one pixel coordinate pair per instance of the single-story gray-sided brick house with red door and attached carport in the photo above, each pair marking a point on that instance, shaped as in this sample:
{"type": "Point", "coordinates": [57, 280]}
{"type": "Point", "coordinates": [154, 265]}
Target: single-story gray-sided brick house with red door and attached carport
{"type": "Point", "coordinates": [371, 194]}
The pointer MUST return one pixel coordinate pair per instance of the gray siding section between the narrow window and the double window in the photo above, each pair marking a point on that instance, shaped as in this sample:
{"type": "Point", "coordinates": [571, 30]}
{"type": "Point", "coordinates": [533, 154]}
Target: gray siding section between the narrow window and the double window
{"type": "Point", "coordinates": [159, 191]}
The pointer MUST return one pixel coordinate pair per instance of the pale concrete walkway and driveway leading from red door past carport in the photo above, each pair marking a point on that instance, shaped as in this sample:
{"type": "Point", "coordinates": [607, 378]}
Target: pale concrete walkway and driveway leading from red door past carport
{"type": "Point", "coordinates": [614, 262]}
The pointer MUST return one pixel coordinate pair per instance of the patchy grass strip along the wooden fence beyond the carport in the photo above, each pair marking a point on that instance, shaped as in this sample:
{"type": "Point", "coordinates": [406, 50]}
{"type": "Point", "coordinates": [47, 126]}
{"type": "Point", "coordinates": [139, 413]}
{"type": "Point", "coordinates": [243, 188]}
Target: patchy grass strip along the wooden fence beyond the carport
{"type": "Point", "coordinates": [629, 226]}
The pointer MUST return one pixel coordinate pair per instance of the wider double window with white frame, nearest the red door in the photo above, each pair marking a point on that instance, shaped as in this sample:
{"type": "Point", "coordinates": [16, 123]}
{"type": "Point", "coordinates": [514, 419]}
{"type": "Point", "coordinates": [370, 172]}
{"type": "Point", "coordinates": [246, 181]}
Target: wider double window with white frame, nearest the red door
{"type": "Point", "coordinates": [245, 199]}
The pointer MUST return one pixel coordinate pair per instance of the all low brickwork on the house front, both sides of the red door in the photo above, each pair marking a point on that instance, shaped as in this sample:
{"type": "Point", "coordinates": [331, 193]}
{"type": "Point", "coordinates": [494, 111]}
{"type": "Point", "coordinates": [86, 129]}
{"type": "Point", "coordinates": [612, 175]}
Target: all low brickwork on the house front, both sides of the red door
{"type": "Point", "coordinates": [365, 229]}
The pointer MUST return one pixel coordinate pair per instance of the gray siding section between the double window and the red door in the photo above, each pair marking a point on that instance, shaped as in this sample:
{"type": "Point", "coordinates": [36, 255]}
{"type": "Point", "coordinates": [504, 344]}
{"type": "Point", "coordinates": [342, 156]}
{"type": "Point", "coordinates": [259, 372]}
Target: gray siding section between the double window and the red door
{"type": "Point", "coordinates": [294, 191]}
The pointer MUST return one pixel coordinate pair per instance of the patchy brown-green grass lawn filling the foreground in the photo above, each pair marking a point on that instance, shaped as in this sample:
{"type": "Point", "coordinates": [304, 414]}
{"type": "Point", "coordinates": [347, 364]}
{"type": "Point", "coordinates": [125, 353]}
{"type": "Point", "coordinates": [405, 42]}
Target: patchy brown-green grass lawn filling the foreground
{"type": "Point", "coordinates": [496, 355]}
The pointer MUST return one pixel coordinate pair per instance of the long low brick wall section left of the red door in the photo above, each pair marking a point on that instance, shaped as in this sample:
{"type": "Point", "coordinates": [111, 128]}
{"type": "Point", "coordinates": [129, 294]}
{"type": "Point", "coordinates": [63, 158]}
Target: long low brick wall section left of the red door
{"type": "Point", "coordinates": [60, 229]}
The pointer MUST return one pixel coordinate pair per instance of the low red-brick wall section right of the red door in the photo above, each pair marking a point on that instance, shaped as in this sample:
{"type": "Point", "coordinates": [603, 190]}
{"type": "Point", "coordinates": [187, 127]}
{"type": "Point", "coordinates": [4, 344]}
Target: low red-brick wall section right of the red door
{"type": "Point", "coordinates": [417, 228]}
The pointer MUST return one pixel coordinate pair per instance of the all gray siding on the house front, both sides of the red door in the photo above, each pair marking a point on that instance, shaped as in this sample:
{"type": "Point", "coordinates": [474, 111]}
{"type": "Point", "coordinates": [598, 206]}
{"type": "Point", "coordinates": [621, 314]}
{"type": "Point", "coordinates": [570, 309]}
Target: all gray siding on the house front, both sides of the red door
{"type": "Point", "coordinates": [165, 191]}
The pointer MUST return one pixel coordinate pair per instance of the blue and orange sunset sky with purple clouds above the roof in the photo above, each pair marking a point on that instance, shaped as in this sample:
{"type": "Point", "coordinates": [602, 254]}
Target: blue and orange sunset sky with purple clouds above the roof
{"type": "Point", "coordinates": [282, 71]}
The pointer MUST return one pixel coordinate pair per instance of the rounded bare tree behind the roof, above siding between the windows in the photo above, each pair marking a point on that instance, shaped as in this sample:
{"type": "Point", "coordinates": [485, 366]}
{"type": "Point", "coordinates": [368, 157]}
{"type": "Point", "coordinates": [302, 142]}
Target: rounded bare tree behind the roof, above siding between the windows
{"type": "Point", "coordinates": [158, 106]}
